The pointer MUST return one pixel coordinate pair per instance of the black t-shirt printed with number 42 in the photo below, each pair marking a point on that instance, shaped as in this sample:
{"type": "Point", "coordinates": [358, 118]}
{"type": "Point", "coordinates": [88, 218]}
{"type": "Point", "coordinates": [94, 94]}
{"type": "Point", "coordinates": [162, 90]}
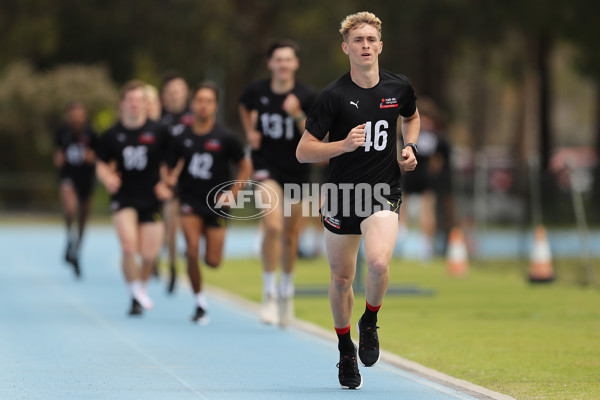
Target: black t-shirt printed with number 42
{"type": "Point", "coordinates": [207, 160]}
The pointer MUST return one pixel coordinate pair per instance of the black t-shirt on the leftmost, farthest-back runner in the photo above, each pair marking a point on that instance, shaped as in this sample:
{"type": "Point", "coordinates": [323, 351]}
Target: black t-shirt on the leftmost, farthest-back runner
{"type": "Point", "coordinates": [74, 146]}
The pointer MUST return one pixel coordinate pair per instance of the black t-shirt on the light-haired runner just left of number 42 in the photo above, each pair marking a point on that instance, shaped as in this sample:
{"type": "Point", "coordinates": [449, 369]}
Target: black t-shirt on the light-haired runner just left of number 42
{"type": "Point", "coordinates": [138, 154]}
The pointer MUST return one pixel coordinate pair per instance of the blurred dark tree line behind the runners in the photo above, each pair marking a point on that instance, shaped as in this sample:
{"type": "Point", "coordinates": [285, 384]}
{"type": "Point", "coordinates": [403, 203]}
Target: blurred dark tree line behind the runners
{"type": "Point", "coordinates": [522, 76]}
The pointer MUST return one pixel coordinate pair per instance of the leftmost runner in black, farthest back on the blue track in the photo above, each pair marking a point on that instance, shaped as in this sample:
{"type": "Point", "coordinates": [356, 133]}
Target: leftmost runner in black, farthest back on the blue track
{"type": "Point", "coordinates": [75, 158]}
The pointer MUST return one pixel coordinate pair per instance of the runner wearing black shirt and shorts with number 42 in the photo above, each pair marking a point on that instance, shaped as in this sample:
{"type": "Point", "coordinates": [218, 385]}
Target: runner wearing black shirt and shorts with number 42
{"type": "Point", "coordinates": [207, 151]}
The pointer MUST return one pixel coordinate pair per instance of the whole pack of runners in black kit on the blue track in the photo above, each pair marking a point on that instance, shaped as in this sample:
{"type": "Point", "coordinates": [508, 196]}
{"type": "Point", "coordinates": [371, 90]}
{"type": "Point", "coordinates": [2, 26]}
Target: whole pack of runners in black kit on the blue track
{"type": "Point", "coordinates": [171, 163]}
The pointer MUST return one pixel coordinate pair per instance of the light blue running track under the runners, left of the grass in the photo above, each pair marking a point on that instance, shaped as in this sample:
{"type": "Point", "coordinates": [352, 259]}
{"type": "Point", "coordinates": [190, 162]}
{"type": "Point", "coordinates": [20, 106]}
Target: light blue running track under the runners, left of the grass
{"type": "Point", "coordinates": [67, 339]}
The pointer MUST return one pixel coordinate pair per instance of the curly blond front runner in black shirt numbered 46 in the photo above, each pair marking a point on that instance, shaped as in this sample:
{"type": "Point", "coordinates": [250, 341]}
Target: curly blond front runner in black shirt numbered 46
{"type": "Point", "coordinates": [359, 113]}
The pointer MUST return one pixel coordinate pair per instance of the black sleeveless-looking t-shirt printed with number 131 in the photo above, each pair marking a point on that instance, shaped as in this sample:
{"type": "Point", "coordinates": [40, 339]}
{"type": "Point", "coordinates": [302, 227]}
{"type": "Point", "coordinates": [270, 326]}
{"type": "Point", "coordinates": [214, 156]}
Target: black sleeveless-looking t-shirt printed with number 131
{"type": "Point", "coordinates": [280, 133]}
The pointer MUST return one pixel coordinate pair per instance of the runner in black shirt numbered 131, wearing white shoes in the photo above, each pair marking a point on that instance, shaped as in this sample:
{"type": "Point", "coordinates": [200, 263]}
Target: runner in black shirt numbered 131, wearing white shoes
{"type": "Point", "coordinates": [273, 112]}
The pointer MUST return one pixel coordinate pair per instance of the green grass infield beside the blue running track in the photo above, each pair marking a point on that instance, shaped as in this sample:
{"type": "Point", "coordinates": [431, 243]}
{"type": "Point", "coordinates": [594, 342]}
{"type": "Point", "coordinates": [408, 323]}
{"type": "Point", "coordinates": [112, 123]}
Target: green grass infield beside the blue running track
{"type": "Point", "coordinates": [491, 327]}
